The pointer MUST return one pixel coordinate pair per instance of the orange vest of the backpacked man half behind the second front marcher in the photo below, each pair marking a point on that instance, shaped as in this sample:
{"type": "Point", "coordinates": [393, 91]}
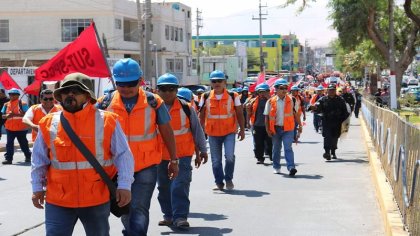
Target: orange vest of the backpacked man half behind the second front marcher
{"type": "Point", "coordinates": [182, 130]}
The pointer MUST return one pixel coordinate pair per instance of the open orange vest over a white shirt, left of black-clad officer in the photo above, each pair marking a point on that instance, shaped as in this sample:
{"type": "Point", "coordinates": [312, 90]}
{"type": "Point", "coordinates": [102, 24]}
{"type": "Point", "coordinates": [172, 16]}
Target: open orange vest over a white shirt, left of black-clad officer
{"type": "Point", "coordinates": [289, 120]}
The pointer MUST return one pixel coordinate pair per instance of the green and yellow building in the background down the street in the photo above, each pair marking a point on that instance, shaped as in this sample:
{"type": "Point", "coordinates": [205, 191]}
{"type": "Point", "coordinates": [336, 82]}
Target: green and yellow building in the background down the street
{"type": "Point", "coordinates": [279, 52]}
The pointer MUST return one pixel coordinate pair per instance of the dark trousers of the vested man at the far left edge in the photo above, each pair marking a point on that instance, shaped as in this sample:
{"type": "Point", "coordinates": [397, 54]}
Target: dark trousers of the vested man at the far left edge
{"type": "Point", "coordinates": [23, 143]}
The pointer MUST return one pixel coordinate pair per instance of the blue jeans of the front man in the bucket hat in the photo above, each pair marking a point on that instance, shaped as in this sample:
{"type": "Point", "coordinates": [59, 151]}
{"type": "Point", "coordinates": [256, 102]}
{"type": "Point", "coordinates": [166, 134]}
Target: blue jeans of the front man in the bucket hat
{"type": "Point", "coordinates": [61, 220]}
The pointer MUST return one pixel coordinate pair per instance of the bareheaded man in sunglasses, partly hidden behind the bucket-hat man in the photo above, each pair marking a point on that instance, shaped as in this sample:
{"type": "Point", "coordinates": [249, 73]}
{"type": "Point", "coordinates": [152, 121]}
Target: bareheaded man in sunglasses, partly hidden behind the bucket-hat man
{"type": "Point", "coordinates": [36, 112]}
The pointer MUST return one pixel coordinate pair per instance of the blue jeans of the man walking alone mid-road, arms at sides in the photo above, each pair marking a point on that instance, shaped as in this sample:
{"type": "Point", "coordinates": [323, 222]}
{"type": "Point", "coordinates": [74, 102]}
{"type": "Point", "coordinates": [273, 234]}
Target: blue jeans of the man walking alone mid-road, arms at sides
{"type": "Point", "coordinates": [216, 145]}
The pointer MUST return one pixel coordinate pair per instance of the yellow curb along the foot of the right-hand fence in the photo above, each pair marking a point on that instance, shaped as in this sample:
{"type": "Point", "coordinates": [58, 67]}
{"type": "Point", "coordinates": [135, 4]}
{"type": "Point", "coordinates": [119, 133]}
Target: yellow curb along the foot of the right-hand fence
{"type": "Point", "coordinates": [389, 210]}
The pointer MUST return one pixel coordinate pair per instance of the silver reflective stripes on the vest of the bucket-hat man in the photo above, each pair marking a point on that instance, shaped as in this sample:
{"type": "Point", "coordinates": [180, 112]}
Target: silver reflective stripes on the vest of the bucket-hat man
{"type": "Point", "coordinates": [99, 138]}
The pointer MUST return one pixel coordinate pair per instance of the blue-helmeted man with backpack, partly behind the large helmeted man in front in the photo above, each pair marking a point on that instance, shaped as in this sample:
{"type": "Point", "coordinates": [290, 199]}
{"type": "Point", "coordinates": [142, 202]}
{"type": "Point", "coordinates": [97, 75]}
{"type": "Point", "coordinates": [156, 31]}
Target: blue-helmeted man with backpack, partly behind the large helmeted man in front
{"type": "Point", "coordinates": [174, 194]}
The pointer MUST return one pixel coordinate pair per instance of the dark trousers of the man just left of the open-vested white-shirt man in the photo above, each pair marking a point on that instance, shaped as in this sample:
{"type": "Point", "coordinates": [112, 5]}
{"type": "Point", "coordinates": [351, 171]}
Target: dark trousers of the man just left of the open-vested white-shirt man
{"type": "Point", "coordinates": [261, 142]}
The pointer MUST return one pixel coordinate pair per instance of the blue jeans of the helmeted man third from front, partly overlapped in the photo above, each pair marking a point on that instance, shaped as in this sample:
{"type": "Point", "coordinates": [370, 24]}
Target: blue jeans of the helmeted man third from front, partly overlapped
{"type": "Point", "coordinates": [174, 194]}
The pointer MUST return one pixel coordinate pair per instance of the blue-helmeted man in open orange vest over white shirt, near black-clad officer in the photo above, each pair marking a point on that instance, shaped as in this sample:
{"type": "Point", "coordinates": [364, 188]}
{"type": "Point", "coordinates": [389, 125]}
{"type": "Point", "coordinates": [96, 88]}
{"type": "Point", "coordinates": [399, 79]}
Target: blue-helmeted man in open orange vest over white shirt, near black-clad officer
{"type": "Point", "coordinates": [281, 113]}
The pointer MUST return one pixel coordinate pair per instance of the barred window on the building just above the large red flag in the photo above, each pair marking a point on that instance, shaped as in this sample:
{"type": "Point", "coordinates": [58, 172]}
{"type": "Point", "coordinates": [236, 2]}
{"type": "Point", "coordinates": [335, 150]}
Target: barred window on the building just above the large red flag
{"type": "Point", "coordinates": [72, 28]}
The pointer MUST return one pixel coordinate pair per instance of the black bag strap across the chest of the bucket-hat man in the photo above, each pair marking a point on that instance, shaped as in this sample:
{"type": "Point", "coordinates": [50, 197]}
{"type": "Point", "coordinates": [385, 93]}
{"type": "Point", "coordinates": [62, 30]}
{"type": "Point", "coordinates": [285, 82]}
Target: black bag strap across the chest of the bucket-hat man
{"type": "Point", "coordinates": [88, 155]}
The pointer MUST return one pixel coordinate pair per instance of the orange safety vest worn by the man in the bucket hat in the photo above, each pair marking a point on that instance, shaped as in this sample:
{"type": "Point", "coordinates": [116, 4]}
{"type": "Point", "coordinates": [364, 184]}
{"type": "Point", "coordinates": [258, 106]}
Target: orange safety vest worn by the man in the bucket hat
{"type": "Point", "coordinates": [71, 180]}
